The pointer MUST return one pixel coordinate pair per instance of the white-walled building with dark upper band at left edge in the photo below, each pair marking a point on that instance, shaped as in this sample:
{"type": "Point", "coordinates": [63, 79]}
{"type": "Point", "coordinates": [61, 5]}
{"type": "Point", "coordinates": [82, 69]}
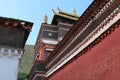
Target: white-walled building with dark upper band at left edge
{"type": "Point", "coordinates": [13, 36]}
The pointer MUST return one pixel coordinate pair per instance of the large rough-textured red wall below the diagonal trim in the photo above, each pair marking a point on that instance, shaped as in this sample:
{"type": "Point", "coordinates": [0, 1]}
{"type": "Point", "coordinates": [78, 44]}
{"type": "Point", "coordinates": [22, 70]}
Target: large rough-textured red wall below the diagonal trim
{"type": "Point", "coordinates": [102, 62]}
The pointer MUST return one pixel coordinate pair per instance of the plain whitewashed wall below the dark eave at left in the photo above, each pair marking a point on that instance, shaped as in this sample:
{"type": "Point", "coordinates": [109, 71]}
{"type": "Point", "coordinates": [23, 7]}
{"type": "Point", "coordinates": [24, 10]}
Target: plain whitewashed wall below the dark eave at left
{"type": "Point", "coordinates": [8, 68]}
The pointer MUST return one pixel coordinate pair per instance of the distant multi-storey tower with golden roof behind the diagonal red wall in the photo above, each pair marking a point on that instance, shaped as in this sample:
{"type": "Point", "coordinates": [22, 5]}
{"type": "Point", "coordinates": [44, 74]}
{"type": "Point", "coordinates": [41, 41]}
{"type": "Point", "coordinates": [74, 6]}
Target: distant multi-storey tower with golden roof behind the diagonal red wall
{"type": "Point", "coordinates": [50, 35]}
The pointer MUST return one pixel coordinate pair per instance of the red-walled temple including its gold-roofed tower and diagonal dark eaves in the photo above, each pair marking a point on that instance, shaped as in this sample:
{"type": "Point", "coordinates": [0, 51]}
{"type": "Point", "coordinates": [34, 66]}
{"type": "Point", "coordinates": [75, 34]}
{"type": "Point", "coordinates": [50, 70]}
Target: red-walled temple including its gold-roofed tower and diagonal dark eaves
{"type": "Point", "coordinates": [80, 48]}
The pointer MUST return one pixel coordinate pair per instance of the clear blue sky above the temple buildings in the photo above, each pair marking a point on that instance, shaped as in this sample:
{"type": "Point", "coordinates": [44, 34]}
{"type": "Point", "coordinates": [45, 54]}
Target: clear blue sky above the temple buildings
{"type": "Point", "coordinates": [35, 10]}
